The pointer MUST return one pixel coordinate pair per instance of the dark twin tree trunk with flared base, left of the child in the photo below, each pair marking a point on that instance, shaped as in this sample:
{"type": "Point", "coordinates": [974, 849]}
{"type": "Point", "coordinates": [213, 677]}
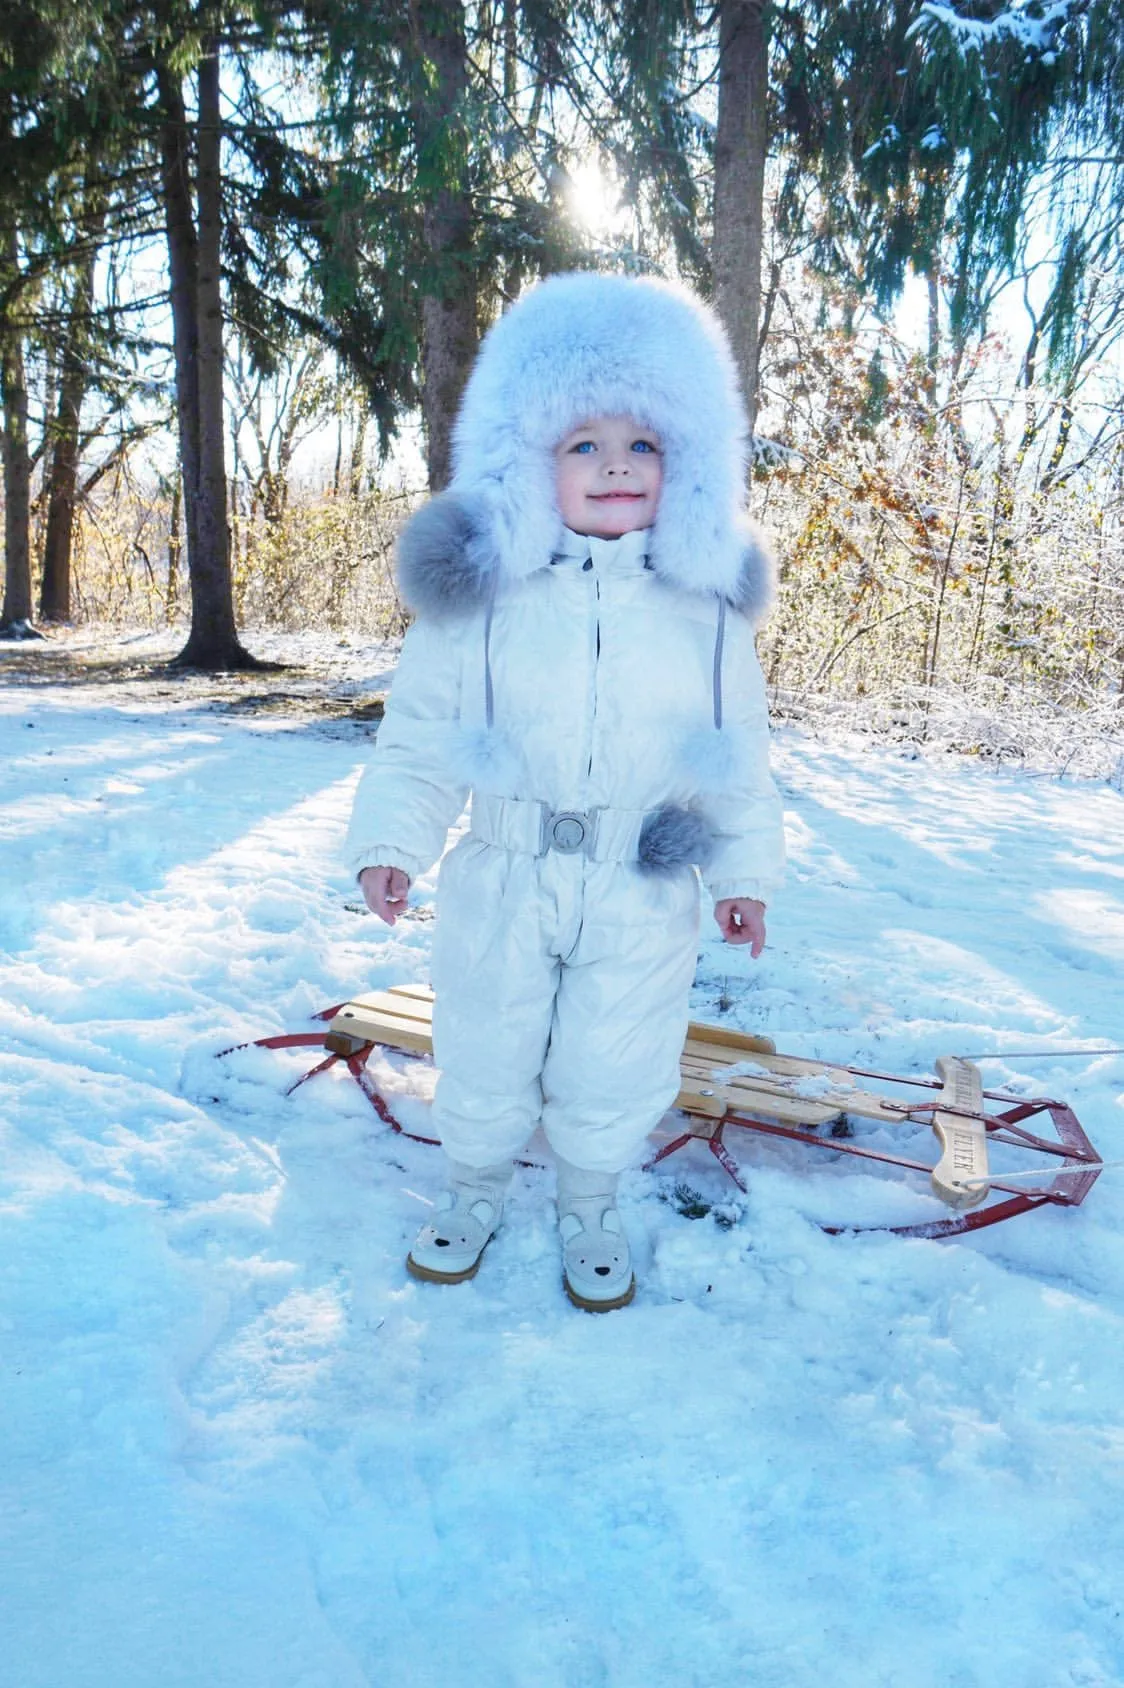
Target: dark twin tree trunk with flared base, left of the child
{"type": "Point", "coordinates": [198, 344]}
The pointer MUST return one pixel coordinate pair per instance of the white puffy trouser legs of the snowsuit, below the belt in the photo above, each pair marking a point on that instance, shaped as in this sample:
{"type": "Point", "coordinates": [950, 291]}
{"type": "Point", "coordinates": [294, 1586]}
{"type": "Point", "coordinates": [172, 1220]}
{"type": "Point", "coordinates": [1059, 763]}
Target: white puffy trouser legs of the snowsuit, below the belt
{"type": "Point", "coordinates": [561, 998]}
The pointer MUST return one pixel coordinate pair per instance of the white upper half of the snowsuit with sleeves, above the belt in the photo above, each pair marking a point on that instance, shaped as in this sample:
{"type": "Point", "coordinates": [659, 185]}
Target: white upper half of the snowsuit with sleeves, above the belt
{"type": "Point", "coordinates": [600, 681]}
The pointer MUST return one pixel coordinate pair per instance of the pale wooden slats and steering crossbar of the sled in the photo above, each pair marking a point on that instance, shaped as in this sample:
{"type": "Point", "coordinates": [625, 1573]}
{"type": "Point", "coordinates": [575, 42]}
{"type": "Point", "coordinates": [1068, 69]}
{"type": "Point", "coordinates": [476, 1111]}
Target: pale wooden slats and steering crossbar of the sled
{"type": "Point", "coordinates": [735, 1076]}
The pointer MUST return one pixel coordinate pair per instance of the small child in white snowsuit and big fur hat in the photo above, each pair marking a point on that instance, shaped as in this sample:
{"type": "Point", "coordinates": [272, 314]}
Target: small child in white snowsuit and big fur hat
{"type": "Point", "coordinates": [583, 666]}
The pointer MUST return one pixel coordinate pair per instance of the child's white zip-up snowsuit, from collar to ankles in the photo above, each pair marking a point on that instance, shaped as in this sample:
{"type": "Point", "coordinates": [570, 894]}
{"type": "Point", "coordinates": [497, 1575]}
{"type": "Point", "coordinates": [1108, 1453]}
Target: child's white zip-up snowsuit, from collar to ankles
{"type": "Point", "coordinates": [561, 980]}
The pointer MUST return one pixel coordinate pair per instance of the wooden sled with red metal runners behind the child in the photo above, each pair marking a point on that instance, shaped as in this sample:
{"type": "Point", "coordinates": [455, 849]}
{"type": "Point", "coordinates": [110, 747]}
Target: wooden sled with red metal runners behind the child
{"type": "Point", "coordinates": [732, 1081]}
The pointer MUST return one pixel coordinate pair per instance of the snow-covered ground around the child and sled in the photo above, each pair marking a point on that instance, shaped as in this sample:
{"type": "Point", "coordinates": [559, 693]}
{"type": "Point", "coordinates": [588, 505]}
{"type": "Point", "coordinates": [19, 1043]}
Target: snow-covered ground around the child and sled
{"type": "Point", "coordinates": [242, 1447]}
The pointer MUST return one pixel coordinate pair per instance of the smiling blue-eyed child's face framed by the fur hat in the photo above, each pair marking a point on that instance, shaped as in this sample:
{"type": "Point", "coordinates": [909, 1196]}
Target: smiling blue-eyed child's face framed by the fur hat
{"type": "Point", "coordinates": [608, 477]}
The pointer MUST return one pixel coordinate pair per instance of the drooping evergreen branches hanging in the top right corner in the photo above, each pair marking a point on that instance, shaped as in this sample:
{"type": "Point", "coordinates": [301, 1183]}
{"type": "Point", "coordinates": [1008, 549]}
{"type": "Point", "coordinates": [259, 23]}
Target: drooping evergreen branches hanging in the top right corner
{"type": "Point", "coordinates": [929, 127]}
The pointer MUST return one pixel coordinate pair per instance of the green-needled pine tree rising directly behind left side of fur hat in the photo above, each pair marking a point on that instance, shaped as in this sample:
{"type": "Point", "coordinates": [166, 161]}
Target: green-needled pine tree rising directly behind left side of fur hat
{"type": "Point", "coordinates": [443, 116]}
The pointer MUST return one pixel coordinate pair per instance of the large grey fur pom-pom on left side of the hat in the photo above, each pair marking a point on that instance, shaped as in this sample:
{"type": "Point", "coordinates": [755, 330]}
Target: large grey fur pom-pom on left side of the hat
{"type": "Point", "coordinates": [445, 563]}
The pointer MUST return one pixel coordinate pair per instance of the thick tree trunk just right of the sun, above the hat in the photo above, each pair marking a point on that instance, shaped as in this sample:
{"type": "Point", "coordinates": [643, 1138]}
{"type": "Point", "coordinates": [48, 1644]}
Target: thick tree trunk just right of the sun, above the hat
{"type": "Point", "coordinates": [740, 153]}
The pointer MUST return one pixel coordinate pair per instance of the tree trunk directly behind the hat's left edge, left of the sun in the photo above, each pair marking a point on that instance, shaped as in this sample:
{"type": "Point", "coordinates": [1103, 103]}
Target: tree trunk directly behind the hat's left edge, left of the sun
{"type": "Point", "coordinates": [450, 300]}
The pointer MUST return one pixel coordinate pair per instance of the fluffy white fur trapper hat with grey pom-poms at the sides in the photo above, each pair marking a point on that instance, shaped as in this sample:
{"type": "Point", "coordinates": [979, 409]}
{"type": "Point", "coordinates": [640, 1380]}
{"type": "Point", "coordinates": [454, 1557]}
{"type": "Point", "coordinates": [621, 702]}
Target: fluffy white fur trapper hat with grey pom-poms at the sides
{"type": "Point", "coordinates": [578, 347]}
